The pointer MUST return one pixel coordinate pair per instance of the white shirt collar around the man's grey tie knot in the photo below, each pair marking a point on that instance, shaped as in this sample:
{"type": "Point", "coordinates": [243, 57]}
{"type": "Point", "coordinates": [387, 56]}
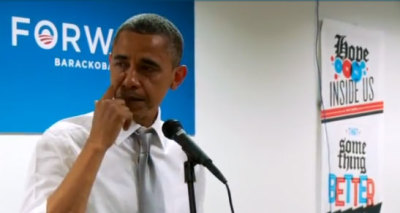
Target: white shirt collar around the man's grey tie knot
{"type": "Point", "coordinates": [157, 125]}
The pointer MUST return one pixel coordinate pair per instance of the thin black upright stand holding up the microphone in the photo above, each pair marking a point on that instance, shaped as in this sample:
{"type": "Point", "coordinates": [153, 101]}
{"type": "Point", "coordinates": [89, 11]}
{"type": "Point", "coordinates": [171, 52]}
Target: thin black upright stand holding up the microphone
{"type": "Point", "coordinates": [190, 178]}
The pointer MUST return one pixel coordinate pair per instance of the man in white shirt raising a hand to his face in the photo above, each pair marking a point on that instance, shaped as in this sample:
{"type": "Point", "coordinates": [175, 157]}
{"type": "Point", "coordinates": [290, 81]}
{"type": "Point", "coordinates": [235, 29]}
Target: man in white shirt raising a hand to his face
{"type": "Point", "coordinates": [89, 163]}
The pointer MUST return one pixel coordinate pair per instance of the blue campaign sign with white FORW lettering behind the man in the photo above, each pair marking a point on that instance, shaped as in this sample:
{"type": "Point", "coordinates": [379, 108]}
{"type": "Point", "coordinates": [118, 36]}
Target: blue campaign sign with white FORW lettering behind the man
{"type": "Point", "coordinates": [54, 59]}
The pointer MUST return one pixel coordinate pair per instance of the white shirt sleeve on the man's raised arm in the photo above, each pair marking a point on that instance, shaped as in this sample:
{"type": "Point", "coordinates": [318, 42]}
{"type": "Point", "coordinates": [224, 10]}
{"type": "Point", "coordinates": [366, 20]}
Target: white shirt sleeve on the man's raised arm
{"type": "Point", "coordinates": [46, 171]}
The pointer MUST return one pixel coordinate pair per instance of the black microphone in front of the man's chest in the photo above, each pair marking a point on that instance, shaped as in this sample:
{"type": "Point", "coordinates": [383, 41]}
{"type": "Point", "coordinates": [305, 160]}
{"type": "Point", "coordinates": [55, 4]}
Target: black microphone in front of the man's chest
{"type": "Point", "coordinates": [173, 130]}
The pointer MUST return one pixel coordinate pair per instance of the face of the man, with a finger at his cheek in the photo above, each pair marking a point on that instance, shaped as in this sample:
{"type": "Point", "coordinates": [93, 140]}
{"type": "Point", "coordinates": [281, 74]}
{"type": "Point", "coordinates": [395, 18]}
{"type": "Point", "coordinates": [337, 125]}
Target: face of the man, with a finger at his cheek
{"type": "Point", "coordinates": [146, 61]}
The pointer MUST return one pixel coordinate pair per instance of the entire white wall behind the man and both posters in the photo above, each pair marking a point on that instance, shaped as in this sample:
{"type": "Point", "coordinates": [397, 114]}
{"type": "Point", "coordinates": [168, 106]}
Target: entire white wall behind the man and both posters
{"type": "Point", "coordinates": [256, 104]}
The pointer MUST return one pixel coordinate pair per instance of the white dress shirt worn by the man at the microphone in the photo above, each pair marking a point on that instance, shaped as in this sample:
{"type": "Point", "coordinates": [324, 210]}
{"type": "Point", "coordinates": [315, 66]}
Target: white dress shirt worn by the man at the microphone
{"type": "Point", "coordinates": [114, 190]}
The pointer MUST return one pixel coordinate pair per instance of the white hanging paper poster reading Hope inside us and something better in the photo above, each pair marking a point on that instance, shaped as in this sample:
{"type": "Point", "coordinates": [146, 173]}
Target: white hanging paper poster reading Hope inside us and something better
{"type": "Point", "coordinates": [351, 118]}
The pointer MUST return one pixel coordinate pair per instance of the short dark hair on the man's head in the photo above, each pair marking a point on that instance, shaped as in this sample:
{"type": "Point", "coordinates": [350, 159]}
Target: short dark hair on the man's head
{"type": "Point", "coordinates": [149, 23]}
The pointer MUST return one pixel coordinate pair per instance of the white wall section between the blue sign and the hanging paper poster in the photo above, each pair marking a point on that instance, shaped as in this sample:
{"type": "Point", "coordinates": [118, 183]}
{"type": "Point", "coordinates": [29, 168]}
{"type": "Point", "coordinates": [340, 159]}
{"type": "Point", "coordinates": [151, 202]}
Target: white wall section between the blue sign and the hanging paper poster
{"type": "Point", "coordinates": [257, 107]}
